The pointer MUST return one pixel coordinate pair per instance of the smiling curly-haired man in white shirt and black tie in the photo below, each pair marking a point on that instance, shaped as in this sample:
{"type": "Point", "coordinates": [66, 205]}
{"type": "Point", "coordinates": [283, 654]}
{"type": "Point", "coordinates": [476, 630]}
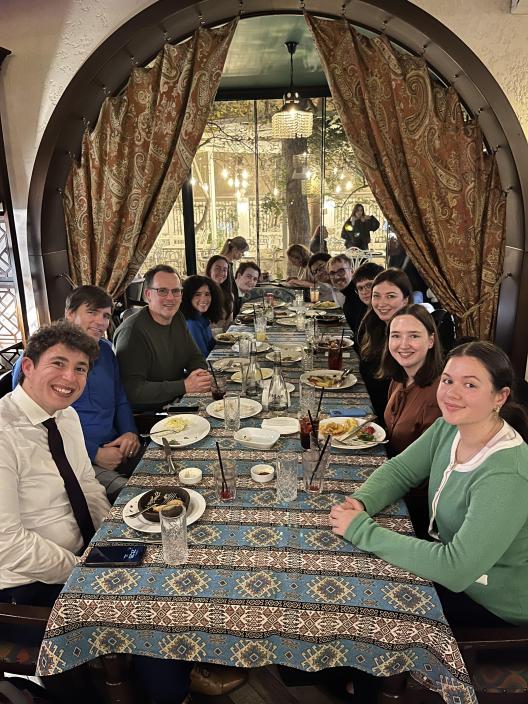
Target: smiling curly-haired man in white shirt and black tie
{"type": "Point", "coordinates": [40, 533]}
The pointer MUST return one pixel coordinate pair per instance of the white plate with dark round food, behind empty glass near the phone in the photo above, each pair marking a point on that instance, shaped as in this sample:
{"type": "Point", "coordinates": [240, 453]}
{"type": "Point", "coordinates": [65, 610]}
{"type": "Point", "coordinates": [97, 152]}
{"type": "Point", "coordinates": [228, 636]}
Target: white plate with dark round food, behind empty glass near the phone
{"type": "Point", "coordinates": [145, 522]}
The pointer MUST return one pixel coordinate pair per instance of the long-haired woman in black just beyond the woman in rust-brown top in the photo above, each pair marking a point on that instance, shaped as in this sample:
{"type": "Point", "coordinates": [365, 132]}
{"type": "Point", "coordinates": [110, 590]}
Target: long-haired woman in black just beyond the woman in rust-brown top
{"type": "Point", "coordinates": [391, 290]}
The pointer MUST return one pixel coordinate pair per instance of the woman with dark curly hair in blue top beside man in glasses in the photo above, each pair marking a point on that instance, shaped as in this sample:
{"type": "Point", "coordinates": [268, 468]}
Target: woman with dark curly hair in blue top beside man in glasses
{"type": "Point", "coordinates": [201, 305]}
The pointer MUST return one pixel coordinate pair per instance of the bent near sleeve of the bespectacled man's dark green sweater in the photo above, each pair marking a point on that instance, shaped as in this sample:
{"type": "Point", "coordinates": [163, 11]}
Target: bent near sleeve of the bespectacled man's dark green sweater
{"type": "Point", "coordinates": [133, 352]}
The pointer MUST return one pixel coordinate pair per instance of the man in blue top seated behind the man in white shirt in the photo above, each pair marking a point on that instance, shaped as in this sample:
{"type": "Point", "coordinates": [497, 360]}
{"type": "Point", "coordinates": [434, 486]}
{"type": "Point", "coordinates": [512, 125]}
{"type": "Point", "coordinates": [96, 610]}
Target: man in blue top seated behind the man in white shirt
{"type": "Point", "coordinates": [107, 422]}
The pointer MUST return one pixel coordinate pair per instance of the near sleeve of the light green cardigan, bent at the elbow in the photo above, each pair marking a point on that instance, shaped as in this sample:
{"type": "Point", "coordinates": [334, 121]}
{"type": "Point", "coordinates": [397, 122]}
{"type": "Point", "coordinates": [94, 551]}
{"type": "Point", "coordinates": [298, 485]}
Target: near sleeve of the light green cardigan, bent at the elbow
{"type": "Point", "coordinates": [496, 513]}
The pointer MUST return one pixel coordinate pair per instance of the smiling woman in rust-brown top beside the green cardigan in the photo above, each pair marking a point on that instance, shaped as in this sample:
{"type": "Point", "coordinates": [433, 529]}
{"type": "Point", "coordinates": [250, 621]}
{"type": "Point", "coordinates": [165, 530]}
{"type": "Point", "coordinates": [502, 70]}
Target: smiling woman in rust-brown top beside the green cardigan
{"type": "Point", "coordinates": [412, 359]}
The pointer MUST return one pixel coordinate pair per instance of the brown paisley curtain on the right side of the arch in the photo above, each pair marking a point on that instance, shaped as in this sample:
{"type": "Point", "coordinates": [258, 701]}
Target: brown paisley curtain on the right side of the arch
{"type": "Point", "coordinates": [425, 164]}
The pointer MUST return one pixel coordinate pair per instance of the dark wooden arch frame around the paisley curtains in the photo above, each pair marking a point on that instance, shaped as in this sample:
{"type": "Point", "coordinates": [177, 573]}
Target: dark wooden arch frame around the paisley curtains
{"type": "Point", "coordinates": [136, 42]}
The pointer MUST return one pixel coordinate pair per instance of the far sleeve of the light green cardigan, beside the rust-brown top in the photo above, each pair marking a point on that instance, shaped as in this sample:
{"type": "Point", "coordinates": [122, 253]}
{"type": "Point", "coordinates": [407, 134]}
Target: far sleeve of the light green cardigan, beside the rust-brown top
{"type": "Point", "coordinates": [394, 478]}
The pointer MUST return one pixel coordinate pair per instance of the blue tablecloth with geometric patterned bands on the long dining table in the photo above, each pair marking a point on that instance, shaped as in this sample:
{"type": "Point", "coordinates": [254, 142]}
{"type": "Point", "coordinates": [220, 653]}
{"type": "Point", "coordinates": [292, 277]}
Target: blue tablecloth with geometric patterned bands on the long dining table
{"type": "Point", "coordinates": [266, 583]}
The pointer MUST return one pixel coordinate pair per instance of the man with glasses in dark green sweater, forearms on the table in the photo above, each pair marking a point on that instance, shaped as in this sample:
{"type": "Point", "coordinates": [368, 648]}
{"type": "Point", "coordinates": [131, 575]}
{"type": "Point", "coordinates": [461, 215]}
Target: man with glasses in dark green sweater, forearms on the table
{"type": "Point", "coordinates": [155, 349]}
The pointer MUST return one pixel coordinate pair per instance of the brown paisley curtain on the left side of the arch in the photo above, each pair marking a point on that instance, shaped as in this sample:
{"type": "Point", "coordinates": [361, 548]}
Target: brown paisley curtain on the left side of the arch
{"type": "Point", "coordinates": [135, 161]}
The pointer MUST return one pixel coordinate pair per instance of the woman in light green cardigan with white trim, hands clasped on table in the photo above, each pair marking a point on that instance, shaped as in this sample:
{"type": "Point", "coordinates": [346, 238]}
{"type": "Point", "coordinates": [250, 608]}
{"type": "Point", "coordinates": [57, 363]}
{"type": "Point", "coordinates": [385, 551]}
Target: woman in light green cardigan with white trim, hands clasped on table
{"type": "Point", "coordinates": [476, 461]}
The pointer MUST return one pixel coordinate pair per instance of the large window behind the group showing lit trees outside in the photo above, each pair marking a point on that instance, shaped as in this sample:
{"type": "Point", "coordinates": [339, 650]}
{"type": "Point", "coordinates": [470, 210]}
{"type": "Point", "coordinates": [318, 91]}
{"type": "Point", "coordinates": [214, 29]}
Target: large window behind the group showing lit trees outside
{"type": "Point", "coordinates": [272, 192]}
